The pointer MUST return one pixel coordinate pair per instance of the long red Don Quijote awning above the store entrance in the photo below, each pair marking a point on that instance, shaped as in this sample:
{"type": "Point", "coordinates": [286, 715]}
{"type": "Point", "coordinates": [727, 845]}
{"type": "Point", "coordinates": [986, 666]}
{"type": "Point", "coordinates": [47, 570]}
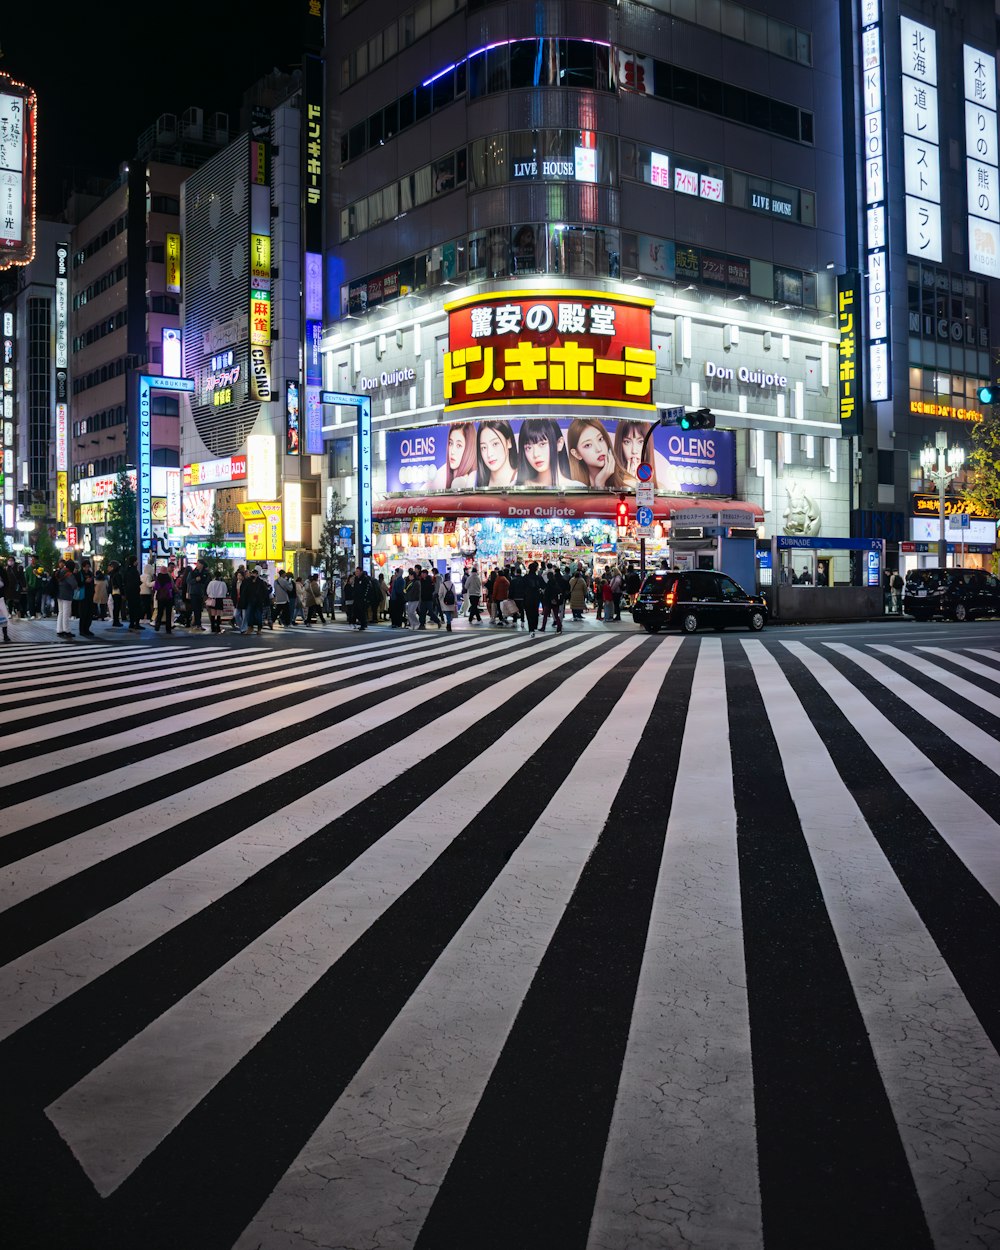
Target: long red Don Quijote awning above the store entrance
{"type": "Point", "coordinates": [529, 504]}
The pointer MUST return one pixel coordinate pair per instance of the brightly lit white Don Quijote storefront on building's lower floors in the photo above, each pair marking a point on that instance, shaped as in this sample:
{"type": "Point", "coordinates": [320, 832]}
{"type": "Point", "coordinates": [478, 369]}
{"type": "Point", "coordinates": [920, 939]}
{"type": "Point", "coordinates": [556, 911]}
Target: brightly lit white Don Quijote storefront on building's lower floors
{"type": "Point", "coordinates": [509, 424]}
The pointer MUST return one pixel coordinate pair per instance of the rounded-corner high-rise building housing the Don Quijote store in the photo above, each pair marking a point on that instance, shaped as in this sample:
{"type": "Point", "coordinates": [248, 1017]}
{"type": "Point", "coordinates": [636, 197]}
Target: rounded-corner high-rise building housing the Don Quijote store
{"type": "Point", "coordinates": [552, 223]}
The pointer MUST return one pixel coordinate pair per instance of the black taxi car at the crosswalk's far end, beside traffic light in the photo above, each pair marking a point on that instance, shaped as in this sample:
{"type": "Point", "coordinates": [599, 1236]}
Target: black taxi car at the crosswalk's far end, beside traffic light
{"type": "Point", "coordinates": [694, 599]}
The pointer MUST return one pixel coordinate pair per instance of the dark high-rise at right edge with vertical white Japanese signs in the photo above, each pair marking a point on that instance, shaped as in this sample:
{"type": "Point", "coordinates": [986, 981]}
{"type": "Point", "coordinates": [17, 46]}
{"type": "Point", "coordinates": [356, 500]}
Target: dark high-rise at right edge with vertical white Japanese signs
{"type": "Point", "coordinates": [924, 229]}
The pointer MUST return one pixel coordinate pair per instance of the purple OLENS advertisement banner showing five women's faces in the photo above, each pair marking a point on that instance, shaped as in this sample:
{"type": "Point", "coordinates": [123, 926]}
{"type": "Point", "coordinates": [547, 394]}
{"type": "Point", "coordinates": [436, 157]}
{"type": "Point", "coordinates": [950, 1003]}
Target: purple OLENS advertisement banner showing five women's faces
{"type": "Point", "coordinates": [549, 454]}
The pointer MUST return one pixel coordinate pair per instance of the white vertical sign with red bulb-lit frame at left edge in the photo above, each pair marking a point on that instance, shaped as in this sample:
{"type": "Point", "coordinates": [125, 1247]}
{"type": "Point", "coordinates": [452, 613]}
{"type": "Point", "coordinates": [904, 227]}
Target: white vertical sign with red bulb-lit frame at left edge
{"type": "Point", "coordinates": [18, 117]}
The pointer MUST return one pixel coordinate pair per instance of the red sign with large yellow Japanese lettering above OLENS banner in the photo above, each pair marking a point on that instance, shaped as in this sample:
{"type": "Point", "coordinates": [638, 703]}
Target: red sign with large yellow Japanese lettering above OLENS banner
{"type": "Point", "coordinates": [549, 347]}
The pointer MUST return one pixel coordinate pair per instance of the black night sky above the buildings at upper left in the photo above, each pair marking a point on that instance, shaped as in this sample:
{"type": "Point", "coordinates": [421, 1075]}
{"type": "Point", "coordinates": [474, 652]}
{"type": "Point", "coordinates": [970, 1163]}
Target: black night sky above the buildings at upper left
{"type": "Point", "coordinates": [104, 74]}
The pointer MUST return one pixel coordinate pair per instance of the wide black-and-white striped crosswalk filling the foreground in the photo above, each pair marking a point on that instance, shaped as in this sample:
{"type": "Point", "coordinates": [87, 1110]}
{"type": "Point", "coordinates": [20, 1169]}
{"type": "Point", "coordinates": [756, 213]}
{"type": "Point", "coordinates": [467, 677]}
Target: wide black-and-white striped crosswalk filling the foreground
{"type": "Point", "coordinates": [483, 942]}
